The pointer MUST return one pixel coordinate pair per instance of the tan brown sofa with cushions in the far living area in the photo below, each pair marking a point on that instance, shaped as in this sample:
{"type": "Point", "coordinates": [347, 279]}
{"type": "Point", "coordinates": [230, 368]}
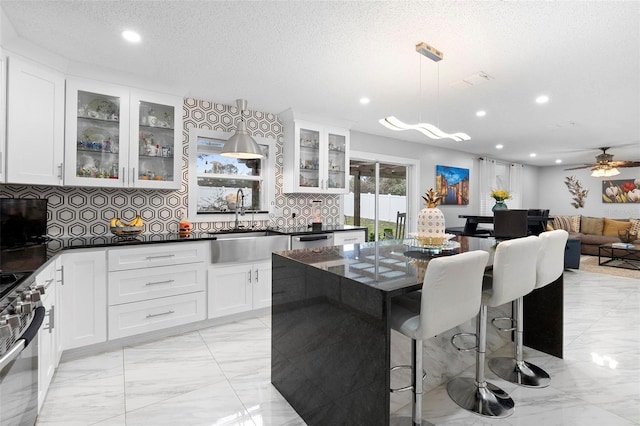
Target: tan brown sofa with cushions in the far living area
{"type": "Point", "coordinates": [595, 231]}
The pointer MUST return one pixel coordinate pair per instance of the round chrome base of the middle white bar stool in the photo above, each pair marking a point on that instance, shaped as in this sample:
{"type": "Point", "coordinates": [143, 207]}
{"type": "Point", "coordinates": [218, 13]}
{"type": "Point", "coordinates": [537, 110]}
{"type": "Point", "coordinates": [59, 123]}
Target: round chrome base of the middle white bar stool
{"type": "Point", "coordinates": [488, 400]}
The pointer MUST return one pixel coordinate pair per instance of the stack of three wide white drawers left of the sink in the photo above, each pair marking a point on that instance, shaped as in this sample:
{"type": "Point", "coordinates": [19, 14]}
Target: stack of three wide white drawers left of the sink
{"type": "Point", "coordinates": [144, 296]}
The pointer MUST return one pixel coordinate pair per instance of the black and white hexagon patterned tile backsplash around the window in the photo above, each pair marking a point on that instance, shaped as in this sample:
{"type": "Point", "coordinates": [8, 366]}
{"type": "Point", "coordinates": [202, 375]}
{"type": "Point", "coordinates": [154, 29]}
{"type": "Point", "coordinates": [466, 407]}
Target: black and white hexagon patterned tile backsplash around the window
{"type": "Point", "coordinates": [79, 211]}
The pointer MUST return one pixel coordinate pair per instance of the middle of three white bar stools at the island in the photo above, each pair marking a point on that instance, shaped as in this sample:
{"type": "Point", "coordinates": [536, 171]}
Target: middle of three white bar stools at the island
{"type": "Point", "coordinates": [514, 275]}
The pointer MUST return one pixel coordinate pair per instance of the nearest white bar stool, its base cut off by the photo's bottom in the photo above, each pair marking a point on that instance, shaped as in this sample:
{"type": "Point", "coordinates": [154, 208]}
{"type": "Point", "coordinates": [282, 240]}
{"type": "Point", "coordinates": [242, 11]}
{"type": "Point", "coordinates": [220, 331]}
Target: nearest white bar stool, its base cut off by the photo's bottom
{"type": "Point", "coordinates": [450, 296]}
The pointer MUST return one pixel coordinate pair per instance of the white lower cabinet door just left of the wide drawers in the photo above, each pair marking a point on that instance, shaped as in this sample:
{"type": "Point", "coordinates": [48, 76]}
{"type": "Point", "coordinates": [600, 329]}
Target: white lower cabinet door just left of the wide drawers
{"type": "Point", "coordinates": [83, 296]}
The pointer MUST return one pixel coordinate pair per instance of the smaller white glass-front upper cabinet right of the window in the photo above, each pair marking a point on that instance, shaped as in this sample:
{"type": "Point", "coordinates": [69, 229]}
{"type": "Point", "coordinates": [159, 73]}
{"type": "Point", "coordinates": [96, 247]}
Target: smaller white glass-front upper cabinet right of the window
{"type": "Point", "coordinates": [316, 158]}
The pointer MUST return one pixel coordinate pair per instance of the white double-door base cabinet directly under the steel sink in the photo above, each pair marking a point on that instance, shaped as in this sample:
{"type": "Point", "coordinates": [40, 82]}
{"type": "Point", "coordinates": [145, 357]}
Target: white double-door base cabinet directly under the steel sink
{"type": "Point", "coordinates": [235, 288]}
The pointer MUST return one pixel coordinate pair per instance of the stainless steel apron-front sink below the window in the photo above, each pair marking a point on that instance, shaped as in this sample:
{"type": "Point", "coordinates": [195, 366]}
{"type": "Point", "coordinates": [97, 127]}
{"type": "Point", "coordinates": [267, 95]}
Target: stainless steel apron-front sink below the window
{"type": "Point", "coordinates": [247, 246]}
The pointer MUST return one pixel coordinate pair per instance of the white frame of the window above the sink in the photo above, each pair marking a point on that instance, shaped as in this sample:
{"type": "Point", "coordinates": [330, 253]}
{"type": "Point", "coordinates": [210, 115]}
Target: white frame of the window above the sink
{"type": "Point", "coordinates": [268, 174]}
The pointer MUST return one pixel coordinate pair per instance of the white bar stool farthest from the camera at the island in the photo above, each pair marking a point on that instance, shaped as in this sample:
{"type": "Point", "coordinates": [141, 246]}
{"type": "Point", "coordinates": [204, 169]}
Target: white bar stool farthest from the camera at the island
{"type": "Point", "coordinates": [550, 265]}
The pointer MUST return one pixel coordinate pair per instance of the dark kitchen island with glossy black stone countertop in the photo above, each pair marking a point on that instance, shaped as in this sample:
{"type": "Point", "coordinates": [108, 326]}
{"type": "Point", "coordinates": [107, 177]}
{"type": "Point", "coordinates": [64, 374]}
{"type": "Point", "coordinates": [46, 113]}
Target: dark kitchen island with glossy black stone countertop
{"type": "Point", "coordinates": [331, 339]}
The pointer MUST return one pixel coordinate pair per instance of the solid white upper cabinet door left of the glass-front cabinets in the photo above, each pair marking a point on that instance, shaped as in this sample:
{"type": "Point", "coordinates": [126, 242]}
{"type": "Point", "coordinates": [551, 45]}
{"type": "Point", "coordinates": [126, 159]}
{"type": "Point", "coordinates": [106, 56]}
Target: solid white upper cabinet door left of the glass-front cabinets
{"type": "Point", "coordinates": [35, 124]}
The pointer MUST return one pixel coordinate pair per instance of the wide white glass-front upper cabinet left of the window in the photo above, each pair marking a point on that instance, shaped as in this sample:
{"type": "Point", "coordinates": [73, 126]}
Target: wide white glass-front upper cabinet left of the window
{"type": "Point", "coordinates": [118, 137]}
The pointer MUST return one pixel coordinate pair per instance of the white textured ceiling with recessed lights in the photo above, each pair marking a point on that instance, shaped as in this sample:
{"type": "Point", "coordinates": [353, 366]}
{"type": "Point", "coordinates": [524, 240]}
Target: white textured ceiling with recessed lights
{"type": "Point", "coordinates": [320, 58]}
